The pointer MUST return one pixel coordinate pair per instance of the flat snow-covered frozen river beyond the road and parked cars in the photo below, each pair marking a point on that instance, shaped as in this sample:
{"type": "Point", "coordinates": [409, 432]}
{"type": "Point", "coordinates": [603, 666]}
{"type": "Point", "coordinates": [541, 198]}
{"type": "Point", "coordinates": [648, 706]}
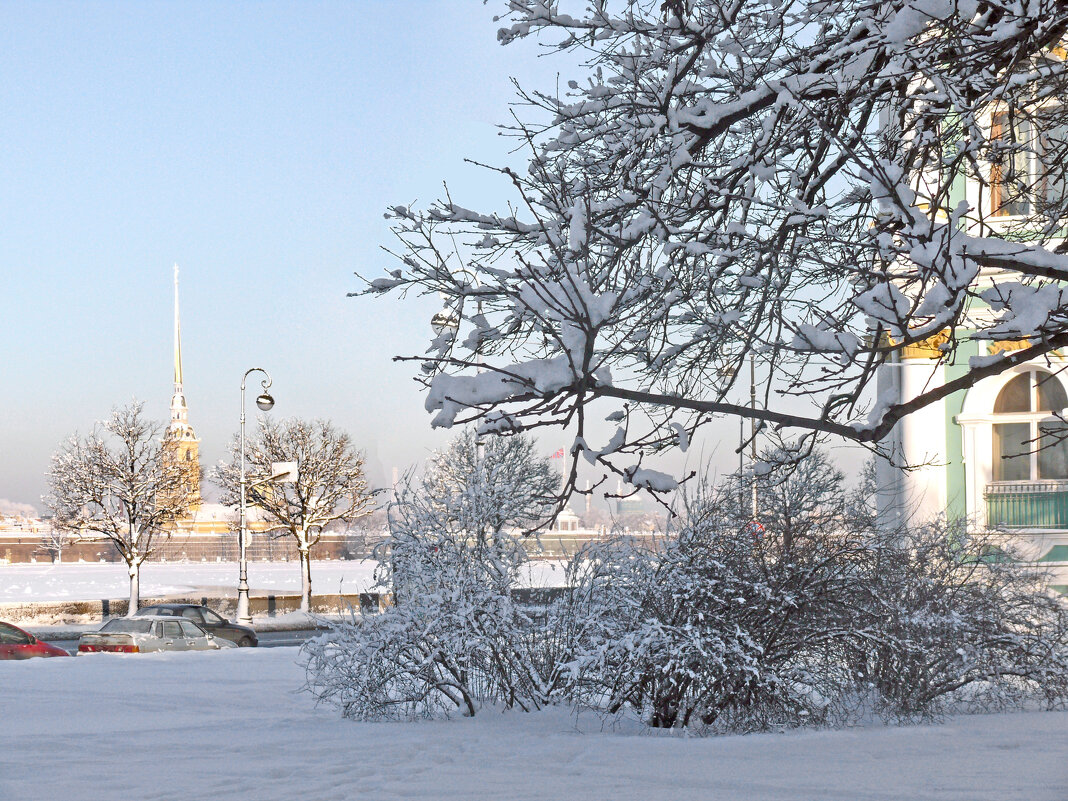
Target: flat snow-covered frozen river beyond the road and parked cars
{"type": "Point", "coordinates": [91, 582]}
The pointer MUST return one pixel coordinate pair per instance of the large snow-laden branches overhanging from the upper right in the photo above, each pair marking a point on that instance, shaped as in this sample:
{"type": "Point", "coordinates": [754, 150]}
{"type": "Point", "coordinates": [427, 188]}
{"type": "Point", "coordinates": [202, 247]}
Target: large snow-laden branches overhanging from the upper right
{"type": "Point", "coordinates": [735, 180]}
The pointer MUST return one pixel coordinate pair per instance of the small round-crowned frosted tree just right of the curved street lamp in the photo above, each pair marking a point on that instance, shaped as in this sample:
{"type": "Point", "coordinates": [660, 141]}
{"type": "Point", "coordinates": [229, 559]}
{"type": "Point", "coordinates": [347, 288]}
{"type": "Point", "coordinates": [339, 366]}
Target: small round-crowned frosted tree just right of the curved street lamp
{"type": "Point", "coordinates": [331, 484]}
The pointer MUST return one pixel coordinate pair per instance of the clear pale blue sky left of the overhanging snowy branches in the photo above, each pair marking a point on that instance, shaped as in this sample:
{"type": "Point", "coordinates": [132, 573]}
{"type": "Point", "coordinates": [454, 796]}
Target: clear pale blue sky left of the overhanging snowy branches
{"type": "Point", "coordinates": [256, 146]}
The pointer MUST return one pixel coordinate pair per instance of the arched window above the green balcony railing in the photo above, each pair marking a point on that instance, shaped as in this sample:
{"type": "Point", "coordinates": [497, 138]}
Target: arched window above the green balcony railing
{"type": "Point", "coordinates": [1029, 443]}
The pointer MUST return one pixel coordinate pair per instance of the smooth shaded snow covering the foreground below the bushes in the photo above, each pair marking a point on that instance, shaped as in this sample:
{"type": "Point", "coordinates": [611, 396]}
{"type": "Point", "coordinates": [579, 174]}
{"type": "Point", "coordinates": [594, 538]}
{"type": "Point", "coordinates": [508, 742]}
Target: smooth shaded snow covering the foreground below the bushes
{"type": "Point", "coordinates": [233, 725]}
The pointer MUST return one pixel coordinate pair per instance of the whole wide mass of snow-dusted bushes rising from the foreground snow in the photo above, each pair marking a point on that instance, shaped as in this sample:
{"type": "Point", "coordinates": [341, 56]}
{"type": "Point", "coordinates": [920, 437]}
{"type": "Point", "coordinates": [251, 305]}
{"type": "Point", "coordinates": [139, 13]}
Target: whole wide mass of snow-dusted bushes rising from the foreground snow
{"type": "Point", "coordinates": [814, 618]}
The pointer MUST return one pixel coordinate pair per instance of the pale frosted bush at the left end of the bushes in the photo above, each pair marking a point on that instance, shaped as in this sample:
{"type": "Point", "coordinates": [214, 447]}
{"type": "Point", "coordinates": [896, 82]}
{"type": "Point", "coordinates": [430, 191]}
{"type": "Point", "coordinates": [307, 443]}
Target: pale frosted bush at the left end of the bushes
{"type": "Point", "coordinates": [433, 653]}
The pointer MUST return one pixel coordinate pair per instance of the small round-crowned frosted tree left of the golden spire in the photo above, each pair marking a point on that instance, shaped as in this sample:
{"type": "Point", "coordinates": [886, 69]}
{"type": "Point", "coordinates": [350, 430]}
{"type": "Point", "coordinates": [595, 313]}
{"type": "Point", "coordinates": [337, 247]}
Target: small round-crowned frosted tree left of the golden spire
{"type": "Point", "coordinates": [122, 484]}
